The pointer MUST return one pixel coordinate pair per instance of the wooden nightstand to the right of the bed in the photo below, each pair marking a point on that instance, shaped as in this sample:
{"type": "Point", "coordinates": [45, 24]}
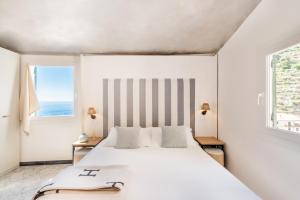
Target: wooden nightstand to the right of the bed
{"type": "Point", "coordinates": [213, 147]}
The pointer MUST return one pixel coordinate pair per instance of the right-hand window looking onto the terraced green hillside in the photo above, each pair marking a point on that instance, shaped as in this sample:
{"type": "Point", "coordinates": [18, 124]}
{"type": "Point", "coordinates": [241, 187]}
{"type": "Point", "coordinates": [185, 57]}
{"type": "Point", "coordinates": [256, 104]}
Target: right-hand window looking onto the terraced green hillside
{"type": "Point", "coordinates": [284, 89]}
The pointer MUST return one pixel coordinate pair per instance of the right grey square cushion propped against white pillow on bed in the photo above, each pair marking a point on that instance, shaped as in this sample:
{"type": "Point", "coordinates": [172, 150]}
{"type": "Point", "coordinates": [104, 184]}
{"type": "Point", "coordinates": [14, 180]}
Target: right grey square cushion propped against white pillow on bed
{"type": "Point", "coordinates": [174, 137]}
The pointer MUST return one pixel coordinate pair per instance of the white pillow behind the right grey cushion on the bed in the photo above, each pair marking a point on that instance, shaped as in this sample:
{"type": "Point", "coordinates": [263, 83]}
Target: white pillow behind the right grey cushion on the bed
{"type": "Point", "coordinates": [157, 137]}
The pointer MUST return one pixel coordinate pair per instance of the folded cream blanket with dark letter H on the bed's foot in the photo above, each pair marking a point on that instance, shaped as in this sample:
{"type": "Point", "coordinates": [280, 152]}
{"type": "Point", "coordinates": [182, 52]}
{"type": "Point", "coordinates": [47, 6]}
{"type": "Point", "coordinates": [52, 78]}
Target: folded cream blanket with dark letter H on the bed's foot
{"type": "Point", "coordinates": [86, 179]}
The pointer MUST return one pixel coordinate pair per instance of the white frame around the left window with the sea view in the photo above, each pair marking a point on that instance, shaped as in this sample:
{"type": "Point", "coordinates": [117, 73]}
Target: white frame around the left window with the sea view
{"type": "Point", "coordinates": [75, 96]}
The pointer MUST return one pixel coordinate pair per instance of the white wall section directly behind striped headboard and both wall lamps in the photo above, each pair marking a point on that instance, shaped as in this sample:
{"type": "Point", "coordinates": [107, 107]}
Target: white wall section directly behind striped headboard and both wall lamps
{"type": "Point", "coordinates": [203, 68]}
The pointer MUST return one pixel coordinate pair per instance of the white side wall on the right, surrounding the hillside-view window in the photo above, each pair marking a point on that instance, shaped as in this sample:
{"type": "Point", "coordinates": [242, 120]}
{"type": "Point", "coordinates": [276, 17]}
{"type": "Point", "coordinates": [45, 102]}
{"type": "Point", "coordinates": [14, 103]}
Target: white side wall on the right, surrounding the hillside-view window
{"type": "Point", "coordinates": [266, 160]}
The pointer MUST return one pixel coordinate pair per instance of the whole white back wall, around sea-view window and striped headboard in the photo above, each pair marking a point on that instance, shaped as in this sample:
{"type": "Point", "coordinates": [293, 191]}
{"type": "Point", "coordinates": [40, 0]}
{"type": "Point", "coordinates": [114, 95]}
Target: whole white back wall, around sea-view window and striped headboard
{"type": "Point", "coordinates": [51, 139]}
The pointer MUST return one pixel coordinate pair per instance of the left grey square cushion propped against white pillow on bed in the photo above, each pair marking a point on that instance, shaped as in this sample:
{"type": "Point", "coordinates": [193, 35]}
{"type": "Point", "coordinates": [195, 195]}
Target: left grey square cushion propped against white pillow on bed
{"type": "Point", "coordinates": [127, 138]}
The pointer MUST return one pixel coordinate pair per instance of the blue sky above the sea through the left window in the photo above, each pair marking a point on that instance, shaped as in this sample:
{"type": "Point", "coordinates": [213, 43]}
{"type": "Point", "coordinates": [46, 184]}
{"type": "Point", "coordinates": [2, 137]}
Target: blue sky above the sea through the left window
{"type": "Point", "coordinates": [55, 83]}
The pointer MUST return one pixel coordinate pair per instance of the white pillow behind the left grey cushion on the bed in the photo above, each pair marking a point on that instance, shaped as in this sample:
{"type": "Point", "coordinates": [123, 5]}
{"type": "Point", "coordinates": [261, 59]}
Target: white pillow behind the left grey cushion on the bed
{"type": "Point", "coordinates": [145, 138]}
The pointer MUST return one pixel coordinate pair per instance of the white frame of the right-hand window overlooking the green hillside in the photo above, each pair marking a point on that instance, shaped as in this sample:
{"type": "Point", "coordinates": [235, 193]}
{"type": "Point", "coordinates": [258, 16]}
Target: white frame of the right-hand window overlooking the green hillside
{"type": "Point", "coordinates": [269, 88]}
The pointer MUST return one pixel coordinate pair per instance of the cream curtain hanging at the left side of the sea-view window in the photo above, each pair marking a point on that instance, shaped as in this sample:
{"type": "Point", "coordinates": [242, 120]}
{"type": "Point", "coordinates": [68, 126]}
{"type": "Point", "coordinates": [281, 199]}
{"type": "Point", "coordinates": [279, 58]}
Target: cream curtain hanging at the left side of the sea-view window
{"type": "Point", "coordinates": [28, 100]}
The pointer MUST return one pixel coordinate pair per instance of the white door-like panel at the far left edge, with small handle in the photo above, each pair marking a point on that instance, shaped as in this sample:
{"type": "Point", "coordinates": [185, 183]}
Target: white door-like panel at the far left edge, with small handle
{"type": "Point", "coordinates": [9, 102]}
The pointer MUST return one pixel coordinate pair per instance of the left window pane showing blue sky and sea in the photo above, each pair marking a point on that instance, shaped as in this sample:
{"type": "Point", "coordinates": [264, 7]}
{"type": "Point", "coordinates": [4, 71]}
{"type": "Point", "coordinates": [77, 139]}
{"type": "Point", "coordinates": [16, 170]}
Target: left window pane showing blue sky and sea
{"type": "Point", "coordinates": [55, 90]}
